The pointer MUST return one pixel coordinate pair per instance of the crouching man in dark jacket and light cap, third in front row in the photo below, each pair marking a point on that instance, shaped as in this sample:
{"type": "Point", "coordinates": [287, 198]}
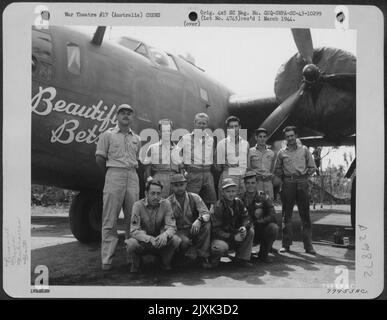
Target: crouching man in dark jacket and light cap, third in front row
{"type": "Point", "coordinates": [231, 227]}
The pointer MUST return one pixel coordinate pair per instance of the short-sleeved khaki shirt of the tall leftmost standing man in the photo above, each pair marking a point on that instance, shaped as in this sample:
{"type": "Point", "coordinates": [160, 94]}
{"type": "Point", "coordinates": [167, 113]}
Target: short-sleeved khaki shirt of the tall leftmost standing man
{"type": "Point", "coordinates": [120, 150]}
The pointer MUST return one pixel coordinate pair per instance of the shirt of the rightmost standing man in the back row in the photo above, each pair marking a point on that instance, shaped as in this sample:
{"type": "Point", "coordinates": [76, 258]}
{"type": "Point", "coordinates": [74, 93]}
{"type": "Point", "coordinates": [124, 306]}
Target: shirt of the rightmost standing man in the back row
{"type": "Point", "coordinates": [298, 162]}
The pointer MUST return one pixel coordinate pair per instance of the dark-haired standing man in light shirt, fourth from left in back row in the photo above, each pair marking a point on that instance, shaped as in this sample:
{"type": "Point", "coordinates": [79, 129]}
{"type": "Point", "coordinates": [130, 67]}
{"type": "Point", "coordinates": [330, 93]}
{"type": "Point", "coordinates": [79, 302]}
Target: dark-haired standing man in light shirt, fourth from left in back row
{"type": "Point", "coordinates": [232, 156]}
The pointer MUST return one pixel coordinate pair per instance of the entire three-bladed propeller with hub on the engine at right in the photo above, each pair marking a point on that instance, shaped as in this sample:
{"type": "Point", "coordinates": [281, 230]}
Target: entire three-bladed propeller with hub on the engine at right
{"type": "Point", "coordinates": [311, 76]}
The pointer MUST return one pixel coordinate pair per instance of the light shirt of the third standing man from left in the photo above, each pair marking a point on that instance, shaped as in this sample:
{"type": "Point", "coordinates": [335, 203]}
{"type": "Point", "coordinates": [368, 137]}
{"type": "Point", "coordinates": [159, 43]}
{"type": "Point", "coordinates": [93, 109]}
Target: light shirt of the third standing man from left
{"type": "Point", "coordinates": [196, 151]}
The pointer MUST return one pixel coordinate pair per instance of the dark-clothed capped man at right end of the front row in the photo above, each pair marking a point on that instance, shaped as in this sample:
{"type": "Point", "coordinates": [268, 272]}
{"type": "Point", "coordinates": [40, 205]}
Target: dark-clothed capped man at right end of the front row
{"type": "Point", "coordinates": [262, 214]}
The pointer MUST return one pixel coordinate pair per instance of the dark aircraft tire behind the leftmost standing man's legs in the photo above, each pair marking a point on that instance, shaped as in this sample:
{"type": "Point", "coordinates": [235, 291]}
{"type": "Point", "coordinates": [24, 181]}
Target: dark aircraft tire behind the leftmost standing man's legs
{"type": "Point", "coordinates": [85, 217]}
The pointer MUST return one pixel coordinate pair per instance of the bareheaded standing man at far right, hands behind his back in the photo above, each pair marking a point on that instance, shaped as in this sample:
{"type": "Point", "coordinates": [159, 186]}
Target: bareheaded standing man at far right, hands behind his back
{"type": "Point", "coordinates": [294, 166]}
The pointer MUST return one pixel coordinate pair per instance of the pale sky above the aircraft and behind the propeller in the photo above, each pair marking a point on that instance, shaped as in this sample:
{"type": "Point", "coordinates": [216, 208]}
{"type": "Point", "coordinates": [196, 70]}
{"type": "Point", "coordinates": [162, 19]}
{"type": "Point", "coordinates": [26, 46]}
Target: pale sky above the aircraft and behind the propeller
{"type": "Point", "coordinates": [246, 60]}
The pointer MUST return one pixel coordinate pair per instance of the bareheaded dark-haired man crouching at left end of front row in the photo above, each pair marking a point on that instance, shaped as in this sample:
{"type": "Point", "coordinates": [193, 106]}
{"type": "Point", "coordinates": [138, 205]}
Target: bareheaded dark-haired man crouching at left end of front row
{"type": "Point", "coordinates": [152, 228]}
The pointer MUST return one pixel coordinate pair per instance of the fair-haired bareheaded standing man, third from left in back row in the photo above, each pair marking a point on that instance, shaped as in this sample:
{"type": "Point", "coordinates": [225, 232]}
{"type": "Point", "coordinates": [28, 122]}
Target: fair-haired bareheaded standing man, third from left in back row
{"type": "Point", "coordinates": [197, 148]}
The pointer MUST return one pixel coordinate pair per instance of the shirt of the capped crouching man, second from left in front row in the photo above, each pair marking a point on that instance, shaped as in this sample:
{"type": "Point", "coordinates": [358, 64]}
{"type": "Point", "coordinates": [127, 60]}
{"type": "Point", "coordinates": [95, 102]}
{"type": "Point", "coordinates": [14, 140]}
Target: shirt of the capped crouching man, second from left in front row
{"type": "Point", "coordinates": [184, 216]}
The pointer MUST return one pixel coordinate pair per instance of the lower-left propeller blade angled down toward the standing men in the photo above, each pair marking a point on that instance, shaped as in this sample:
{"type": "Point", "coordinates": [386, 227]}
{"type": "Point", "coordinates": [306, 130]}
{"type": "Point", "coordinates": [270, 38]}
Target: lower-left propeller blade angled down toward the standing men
{"type": "Point", "coordinates": [282, 112]}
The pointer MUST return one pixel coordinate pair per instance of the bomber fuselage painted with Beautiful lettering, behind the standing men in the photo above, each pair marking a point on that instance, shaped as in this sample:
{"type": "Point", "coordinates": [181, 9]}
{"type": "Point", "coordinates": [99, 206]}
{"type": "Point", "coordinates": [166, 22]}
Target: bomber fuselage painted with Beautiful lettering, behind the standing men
{"type": "Point", "coordinates": [77, 87]}
